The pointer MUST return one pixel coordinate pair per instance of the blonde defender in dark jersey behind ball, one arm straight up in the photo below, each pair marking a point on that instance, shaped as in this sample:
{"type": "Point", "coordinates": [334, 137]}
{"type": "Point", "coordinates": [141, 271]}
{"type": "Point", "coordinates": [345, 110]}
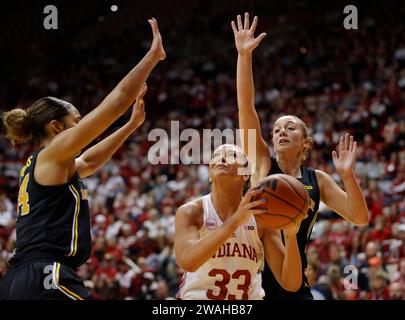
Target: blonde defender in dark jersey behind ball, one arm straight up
{"type": "Point", "coordinates": [292, 145]}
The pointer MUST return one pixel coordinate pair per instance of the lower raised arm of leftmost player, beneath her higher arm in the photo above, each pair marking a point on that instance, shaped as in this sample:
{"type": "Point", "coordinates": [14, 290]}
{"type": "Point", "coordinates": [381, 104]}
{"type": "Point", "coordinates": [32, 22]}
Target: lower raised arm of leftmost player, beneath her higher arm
{"type": "Point", "coordinates": [91, 160]}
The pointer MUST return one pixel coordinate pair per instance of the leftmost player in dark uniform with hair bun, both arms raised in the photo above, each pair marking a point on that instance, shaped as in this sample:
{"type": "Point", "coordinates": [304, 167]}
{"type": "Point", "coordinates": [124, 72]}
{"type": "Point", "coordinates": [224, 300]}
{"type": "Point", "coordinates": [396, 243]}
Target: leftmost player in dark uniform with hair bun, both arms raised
{"type": "Point", "coordinates": [53, 221]}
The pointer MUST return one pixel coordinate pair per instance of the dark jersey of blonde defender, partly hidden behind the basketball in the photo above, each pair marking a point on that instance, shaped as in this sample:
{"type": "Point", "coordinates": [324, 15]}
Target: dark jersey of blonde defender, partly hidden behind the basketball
{"type": "Point", "coordinates": [270, 284]}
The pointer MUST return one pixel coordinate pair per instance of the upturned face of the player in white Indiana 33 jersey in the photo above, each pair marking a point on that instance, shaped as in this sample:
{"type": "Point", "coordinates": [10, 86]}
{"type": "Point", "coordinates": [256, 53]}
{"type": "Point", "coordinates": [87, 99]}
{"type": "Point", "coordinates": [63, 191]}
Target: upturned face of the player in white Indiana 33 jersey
{"type": "Point", "coordinates": [227, 159]}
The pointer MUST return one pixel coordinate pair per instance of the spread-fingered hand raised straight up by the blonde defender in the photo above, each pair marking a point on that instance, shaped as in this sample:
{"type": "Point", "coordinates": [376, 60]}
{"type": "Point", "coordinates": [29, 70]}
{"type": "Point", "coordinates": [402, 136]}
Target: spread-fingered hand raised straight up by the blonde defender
{"type": "Point", "coordinates": [244, 36]}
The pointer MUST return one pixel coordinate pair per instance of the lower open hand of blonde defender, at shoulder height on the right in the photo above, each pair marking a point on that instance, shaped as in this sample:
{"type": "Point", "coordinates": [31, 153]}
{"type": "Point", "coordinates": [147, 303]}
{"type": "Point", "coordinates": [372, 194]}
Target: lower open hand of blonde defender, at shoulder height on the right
{"type": "Point", "coordinates": [346, 158]}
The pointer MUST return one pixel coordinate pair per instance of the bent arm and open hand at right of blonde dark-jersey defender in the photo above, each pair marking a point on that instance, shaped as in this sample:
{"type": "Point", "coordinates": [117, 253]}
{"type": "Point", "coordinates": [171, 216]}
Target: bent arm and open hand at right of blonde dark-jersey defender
{"type": "Point", "coordinates": [349, 204]}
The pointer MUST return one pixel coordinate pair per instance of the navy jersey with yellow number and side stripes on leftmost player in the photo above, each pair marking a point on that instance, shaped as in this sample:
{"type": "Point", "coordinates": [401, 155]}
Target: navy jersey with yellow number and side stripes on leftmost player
{"type": "Point", "coordinates": [52, 221]}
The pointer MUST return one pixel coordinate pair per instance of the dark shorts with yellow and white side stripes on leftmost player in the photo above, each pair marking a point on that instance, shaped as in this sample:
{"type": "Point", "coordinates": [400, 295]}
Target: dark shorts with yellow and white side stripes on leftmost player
{"type": "Point", "coordinates": [42, 279]}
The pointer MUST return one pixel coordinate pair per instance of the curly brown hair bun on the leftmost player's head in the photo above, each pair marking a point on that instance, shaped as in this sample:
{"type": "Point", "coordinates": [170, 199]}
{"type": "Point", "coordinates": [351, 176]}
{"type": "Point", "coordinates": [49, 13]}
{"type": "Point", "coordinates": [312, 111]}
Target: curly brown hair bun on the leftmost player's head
{"type": "Point", "coordinates": [18, 126]}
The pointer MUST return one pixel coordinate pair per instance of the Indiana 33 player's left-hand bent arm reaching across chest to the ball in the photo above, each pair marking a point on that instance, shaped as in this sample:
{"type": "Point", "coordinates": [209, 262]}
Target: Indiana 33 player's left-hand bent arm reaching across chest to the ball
{"type": "Point", "coordinates": [191, 250]}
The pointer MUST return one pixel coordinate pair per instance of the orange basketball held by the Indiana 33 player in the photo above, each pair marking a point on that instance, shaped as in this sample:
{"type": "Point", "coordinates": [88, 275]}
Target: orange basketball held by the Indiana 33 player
{"type": "Point", "coordinates": [286, 198]}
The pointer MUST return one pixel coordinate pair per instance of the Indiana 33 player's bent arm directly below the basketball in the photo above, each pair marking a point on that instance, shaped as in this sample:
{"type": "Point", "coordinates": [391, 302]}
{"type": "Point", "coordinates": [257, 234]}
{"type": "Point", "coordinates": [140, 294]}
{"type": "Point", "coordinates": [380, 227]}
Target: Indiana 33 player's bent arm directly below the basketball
{"type": "Point", "coordinates": [284, 261]}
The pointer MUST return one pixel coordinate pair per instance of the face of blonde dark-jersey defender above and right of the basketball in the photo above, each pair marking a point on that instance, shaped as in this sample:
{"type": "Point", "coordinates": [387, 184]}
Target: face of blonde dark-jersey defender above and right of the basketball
{"type": "Point", "coordinates": [287, 134]}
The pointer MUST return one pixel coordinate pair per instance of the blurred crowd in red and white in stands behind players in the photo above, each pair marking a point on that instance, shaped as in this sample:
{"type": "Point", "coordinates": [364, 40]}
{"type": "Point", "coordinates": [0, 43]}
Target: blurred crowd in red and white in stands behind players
{"type": "Point", "coordinates": [336, 80]}
